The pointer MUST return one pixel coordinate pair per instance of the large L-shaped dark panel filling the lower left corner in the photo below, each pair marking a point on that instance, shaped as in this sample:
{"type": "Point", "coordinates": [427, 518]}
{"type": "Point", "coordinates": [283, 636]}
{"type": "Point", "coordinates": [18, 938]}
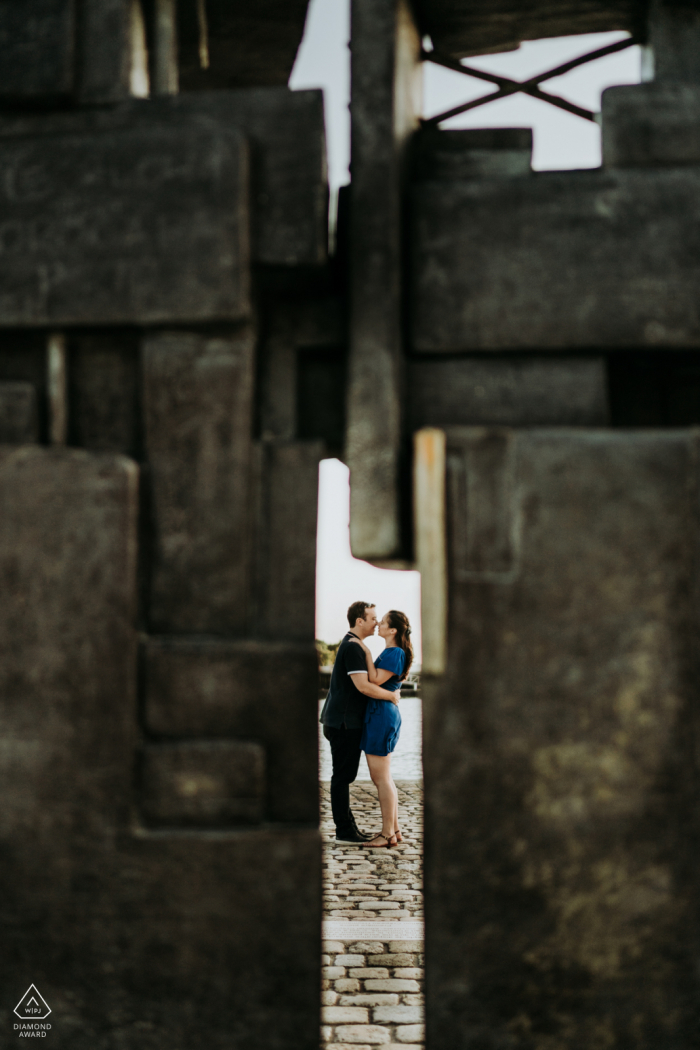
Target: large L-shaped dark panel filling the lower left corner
{"type": "Point", "coordinates": [154, 939]}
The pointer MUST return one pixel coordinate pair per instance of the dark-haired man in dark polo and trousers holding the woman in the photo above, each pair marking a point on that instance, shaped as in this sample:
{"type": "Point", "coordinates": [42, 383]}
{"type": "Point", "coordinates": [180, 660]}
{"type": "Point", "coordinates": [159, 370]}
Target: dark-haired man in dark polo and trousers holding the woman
{"type": "Point", "coordinates": [344, 718]}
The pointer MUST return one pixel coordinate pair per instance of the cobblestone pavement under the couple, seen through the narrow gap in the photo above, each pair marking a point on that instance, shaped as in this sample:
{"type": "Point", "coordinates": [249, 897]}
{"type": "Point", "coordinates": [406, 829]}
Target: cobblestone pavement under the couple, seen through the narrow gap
{"type": "Point", "coordinates": [373, 991]}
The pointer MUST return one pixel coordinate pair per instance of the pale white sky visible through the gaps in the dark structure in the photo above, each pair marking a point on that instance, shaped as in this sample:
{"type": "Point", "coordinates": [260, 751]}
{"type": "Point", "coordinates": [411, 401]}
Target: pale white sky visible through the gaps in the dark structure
{"type": "Point", "coordinates": [561, 141]}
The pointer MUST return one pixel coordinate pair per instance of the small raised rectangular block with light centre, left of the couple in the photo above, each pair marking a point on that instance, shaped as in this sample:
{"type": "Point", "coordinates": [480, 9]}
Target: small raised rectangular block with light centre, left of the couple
{"type": "Point", "coordinates": [213, 783]}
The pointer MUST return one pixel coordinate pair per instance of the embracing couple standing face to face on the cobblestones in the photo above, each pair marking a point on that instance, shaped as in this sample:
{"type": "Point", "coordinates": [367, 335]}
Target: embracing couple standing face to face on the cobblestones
{"type": "Point", "coordinates": [362, 713]}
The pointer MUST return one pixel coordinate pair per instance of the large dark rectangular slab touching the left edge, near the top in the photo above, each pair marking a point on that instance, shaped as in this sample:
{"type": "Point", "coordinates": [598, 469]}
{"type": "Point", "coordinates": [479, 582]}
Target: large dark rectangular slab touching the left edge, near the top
{"type": "Point", "coordinates": [132, 227]}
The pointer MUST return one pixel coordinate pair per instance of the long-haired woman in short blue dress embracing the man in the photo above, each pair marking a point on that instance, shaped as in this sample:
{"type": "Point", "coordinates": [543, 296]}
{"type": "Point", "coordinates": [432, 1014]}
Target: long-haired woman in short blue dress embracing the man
{"type": "Point", "coordinates": [383, 722]}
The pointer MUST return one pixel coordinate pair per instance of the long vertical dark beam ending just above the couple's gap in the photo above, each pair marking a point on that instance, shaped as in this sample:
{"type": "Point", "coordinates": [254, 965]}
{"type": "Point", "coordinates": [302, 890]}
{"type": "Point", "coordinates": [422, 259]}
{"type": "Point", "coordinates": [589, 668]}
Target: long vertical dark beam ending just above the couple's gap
{"type": "Point", "coordinates": [386, 94]}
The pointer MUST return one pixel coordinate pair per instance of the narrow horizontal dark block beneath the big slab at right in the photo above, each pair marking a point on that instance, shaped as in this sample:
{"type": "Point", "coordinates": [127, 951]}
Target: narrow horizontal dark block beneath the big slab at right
{"type": "Point", "coordinates": [508, 391]}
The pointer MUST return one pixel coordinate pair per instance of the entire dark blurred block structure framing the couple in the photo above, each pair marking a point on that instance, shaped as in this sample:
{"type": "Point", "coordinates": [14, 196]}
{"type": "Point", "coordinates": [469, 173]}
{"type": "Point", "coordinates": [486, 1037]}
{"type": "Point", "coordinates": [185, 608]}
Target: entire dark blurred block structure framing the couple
{"type": "Point", "coordinates": [511, 364]}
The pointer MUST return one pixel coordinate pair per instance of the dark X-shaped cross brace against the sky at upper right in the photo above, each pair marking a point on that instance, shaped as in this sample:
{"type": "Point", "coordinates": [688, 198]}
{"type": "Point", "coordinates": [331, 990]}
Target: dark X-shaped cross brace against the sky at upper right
{"type": "Point", "coordinates": [532, 87]}
